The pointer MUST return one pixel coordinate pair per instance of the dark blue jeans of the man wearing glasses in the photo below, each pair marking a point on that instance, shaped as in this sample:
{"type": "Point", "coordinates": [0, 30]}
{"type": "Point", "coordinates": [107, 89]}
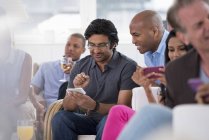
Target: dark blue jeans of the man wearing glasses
{"type": "Point", "coordinates": [68, 125]}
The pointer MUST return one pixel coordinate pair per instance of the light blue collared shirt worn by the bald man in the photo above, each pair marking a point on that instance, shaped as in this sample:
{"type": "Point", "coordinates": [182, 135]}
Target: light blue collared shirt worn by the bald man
{"type": "Point", "coordinates": [157, 58]}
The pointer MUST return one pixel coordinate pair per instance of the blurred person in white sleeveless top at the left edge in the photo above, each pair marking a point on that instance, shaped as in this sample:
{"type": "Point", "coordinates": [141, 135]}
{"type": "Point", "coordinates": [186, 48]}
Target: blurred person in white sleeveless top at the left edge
{"type": "Point", "coordinates": [15, 76]}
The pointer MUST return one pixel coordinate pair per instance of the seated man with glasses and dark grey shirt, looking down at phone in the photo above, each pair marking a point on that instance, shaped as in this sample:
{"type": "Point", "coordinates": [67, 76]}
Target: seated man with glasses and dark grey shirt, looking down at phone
{"type": "Point", "coordinates": [105, 75]}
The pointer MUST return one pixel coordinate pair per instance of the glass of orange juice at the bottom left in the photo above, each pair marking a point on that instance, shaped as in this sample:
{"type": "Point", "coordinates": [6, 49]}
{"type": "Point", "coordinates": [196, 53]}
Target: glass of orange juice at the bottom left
{"type": "Point", "coordinates": [25, 129]}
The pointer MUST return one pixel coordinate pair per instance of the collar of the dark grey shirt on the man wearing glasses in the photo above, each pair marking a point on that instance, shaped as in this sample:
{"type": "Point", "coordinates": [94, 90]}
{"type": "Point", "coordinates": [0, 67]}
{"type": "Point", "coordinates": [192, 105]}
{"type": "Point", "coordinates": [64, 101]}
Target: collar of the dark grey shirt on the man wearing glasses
{"type": "Point", "coordinates": [112, 63]}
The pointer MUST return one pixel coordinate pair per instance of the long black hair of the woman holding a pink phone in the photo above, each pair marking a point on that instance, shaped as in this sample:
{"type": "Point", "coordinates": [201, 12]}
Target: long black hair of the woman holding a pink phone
{"type": "Point", "coordinates": [171, 35]}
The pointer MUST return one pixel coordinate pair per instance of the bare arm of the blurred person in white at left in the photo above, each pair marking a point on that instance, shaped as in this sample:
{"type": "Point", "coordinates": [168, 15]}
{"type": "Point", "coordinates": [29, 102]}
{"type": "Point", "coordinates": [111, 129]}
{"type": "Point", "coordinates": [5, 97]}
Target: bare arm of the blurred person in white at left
{"type": "Point", "coordinates": [25, 78]}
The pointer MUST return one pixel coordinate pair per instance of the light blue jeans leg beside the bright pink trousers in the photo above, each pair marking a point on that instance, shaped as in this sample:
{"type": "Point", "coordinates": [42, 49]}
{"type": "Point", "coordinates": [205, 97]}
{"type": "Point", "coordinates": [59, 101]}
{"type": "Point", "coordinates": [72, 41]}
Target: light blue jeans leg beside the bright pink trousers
{"type": "Point", "coordinates": [144, 122]}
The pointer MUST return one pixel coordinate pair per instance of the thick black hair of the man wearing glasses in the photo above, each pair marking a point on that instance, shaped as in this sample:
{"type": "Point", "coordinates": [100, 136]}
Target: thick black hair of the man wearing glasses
{"type": "Point", "coordinates": [104, 27]}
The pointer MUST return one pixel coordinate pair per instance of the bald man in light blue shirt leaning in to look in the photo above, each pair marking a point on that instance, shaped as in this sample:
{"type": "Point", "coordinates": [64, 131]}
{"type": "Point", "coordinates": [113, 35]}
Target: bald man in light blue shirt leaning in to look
{"type": "Point", "coordinates": [149, 35]}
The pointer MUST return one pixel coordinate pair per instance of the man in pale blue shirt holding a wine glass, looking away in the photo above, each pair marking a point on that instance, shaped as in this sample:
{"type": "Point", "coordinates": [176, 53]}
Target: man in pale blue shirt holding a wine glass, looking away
{"type": "Point", "coordinates": [47, 78]}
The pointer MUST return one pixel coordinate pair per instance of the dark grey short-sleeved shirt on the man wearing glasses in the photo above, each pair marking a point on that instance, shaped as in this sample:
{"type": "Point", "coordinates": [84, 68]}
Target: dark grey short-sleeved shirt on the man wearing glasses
{"type": "Point", "coordinates": [104, 86]}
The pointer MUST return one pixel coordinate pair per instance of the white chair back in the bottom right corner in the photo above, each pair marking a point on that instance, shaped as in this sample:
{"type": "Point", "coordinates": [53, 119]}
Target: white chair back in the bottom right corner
{"type": "Point", "coordinates": [191, 120]}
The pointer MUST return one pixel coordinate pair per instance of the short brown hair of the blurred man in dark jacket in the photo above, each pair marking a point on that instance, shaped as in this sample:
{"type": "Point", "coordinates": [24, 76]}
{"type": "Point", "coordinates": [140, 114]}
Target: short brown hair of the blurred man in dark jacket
{"type": "Point", "coordinates": [172, 16]}
